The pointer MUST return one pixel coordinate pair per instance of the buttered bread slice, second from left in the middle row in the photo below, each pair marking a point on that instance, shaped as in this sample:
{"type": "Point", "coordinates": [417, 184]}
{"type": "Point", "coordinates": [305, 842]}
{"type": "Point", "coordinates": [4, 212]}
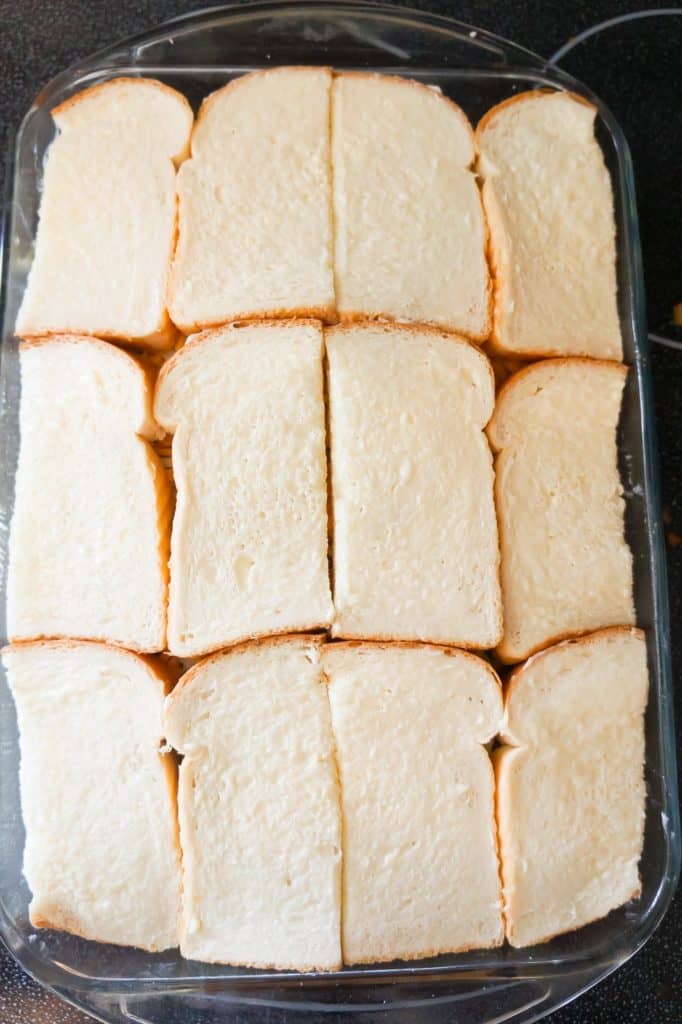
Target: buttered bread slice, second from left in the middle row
{"type": "Point", "coordinates": [249, 543]}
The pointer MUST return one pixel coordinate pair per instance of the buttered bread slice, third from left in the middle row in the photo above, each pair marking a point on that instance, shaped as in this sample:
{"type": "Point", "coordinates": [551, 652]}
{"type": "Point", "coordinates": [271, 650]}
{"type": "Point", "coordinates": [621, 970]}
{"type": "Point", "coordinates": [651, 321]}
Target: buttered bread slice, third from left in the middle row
{"type": "Point", "coordinates": [415, 535]}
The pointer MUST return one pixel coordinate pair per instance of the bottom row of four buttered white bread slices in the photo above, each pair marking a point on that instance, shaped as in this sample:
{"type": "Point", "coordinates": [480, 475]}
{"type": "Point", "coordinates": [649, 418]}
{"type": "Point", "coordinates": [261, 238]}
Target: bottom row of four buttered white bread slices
{"type": "Point", "coordinates": [336, 802]}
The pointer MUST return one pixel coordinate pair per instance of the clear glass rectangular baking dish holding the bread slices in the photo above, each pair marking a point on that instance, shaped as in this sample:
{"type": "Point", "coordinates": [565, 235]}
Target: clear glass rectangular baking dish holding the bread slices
{"type": "Point", "coordinates": [197, 55]}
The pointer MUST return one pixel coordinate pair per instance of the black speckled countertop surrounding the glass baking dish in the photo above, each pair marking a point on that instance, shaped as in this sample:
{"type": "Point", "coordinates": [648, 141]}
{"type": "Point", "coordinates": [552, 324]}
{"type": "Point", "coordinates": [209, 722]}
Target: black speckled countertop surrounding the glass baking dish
{"type": "Point", "coordinates": [637, 70]}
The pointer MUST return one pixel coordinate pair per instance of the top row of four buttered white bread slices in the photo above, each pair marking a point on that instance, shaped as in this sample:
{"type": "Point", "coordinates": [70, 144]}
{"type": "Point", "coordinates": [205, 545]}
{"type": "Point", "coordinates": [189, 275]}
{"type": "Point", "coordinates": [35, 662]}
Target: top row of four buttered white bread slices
{"type": "Point", "coordinates": [381, 217]}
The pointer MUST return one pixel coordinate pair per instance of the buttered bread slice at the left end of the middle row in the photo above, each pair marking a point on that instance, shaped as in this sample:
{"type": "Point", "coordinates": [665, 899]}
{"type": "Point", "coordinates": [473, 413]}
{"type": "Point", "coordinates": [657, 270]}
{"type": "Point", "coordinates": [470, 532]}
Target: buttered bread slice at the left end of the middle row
{"type": "Point", "coordinates": [89, 546]}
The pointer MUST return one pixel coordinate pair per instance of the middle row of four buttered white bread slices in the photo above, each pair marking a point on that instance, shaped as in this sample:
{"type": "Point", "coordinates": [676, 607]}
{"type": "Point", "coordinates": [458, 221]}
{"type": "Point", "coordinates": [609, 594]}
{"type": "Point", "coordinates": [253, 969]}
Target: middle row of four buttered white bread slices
{"type": "Point", "coordinates": [415, 551]}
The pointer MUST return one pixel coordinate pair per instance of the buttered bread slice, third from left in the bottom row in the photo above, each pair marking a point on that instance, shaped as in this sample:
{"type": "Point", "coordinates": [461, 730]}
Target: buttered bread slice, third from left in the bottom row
{"type": "Point", "coordinates": [420, 866]}
